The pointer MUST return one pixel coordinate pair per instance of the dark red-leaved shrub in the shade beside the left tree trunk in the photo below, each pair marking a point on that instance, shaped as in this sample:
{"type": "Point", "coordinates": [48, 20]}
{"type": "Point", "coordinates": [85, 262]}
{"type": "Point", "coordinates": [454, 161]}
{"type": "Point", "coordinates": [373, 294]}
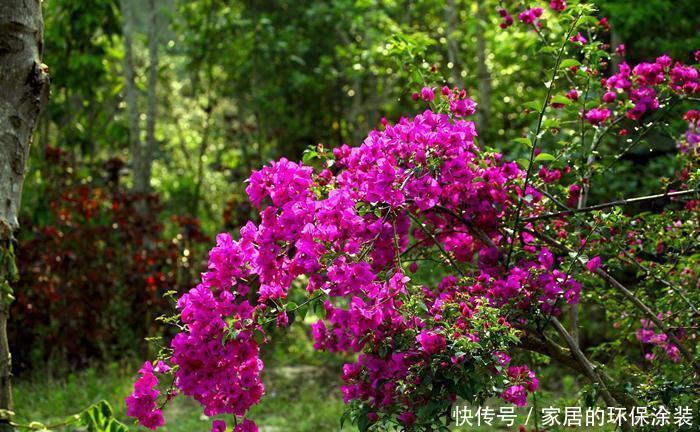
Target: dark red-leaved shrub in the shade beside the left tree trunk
{"type": "Point", "coordinates": [94, 264]}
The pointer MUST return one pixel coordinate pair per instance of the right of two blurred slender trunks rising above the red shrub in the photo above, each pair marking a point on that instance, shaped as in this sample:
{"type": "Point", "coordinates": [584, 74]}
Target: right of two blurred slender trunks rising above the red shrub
{"type": "Point", "coordinates": [151, 144]}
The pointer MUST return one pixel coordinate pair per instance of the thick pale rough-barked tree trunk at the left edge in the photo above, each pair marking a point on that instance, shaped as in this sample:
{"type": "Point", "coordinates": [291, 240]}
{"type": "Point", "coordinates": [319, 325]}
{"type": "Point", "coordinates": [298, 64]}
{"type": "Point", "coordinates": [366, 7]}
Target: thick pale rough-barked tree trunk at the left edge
{"type": "Point", "coordinates": [24, 92]}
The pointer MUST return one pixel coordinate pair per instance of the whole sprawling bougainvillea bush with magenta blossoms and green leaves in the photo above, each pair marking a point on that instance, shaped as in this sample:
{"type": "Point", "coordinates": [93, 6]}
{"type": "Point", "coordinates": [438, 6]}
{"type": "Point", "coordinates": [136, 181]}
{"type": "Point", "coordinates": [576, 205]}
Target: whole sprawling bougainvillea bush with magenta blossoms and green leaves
{"type": "Point", "coordinates": [436, 259]}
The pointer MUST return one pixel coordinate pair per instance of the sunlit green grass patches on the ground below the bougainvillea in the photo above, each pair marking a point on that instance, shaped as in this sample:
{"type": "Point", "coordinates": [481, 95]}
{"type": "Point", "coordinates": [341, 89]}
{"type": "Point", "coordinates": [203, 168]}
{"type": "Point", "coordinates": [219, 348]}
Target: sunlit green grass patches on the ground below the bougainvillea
{"type": "Point", "coordinates": [304, 398]}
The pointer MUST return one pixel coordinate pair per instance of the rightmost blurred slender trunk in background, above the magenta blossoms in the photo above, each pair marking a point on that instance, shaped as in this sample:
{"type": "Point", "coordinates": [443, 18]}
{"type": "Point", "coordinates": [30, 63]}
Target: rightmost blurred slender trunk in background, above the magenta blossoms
{"type": "Point", "coordinates": [484, 77]}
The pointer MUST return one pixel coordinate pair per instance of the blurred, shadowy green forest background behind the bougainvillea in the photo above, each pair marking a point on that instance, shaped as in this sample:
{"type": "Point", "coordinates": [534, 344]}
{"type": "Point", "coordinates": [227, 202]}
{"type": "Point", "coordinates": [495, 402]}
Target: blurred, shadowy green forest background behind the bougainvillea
{"type": "Point", "coordinates": [160, 109]}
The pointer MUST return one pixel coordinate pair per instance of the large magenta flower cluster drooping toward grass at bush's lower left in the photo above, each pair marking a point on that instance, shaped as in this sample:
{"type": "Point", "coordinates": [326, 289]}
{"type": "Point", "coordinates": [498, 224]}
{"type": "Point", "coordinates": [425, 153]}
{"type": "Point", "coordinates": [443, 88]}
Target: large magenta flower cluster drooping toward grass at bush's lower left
{"type": "Point", "coordinates": [223, 376]}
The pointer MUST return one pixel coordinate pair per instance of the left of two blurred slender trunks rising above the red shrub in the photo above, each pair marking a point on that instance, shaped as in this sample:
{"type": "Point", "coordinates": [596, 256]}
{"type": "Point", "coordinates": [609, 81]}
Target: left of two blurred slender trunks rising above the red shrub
{"type": "Point", "coordinates": [131, 95]}
